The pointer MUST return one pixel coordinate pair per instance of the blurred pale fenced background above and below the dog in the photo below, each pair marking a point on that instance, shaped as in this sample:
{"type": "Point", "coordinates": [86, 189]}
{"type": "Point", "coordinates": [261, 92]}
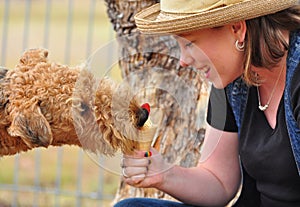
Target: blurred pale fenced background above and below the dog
{"type": "Point", "coordinates": [71, 30]}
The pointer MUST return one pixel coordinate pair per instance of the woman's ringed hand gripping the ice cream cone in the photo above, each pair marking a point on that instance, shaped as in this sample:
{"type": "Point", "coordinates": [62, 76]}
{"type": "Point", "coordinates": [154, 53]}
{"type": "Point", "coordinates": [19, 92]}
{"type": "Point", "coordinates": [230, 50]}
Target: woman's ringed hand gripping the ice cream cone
{"type": "Point", "coordinates": [145, 172]}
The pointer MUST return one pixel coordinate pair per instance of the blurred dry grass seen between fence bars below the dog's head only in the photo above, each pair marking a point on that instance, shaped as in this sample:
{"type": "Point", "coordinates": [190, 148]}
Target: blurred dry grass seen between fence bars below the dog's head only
{"type": "Point", "coordinates": [49, 158]}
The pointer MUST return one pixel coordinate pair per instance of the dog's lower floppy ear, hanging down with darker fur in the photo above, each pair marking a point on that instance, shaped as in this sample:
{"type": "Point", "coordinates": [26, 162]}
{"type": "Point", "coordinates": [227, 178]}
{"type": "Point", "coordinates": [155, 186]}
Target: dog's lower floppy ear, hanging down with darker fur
{"type": "Point", "coordinates": [32, 127]}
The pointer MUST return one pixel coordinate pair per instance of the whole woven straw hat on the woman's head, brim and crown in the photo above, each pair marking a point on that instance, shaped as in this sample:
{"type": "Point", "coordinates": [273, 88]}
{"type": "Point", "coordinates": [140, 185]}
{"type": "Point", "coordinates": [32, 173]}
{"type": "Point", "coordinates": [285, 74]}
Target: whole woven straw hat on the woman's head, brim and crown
{"type": "Point", "coordinates": [177, 16]}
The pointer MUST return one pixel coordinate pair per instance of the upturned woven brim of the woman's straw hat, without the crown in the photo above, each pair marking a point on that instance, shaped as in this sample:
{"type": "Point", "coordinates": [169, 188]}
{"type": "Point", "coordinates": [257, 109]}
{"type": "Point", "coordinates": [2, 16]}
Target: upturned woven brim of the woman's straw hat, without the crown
{"type": "Point", "coordinates": [152, 21]}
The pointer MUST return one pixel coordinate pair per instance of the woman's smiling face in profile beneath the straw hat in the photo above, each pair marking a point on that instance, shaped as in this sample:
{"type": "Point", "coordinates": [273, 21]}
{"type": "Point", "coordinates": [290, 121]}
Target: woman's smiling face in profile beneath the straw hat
{"type": "Point", "coordinates": [213, 52]}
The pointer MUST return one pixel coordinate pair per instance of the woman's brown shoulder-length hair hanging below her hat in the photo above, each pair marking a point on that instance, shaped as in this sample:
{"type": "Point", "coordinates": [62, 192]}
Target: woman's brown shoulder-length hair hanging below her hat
{"type": "Point", "coordinates": [265, 43]}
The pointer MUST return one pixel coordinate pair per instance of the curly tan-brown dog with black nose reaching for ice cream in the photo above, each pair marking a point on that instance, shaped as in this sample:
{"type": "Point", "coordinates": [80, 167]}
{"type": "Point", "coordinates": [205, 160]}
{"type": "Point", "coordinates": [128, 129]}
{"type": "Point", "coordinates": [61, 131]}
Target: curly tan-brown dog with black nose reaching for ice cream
{"type": "Point", "coordinates": [43, 103]}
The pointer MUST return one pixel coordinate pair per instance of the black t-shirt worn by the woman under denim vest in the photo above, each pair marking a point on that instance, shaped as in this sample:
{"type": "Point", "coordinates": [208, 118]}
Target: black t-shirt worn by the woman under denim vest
{"type": "Point", "coordinates": [270, 176]}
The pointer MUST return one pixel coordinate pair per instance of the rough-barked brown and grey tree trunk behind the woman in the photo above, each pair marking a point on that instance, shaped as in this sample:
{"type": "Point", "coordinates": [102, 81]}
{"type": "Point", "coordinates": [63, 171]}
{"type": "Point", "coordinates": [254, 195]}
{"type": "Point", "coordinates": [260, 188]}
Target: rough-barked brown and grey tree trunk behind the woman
{"type": "Point", "coordinates": [150, 64]}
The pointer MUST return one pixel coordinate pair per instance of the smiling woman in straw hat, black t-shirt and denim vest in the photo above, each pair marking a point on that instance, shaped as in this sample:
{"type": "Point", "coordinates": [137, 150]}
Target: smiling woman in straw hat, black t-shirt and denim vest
{"type": "Point", "coordinates": [254, 50]}
